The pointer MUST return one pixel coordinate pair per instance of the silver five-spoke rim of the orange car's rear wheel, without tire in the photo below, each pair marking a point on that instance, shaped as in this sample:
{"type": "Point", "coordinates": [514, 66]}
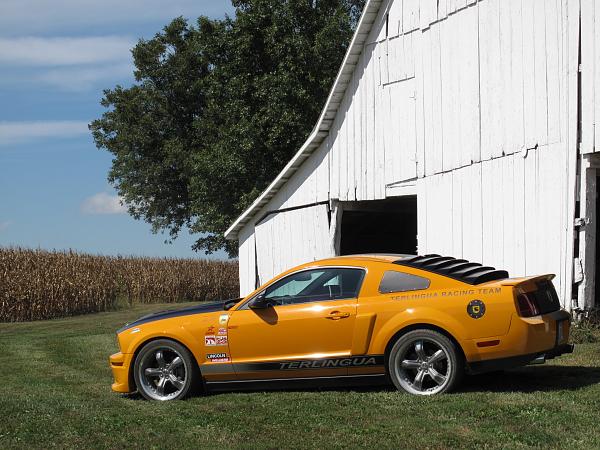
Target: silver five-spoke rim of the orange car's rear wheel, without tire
{"type": "Point", "coordinates": [424, 367]}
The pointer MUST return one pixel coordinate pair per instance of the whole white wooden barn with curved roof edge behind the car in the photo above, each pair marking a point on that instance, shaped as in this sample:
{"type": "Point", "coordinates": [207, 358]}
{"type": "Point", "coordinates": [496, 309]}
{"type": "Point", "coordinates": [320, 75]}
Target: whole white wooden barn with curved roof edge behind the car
{"type": "Point", "coordinates": [458, 127]}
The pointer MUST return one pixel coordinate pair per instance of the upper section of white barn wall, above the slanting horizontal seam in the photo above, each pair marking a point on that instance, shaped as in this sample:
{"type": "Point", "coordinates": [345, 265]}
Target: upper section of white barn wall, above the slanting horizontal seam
{"type": "Point", "coordinates": [467, 82]}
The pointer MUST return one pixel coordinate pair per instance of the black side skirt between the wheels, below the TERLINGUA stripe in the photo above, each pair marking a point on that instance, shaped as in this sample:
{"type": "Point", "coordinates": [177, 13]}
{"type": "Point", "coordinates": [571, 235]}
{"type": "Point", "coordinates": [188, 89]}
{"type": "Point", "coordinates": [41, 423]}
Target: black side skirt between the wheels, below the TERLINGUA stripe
{"type": "Point", "coordinates": [297, 383]}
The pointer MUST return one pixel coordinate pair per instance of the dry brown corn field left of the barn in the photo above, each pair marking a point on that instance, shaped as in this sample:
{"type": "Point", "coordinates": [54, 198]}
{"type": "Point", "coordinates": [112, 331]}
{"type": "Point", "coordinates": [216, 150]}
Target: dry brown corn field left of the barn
{"type": "Point", "coordinates": [38, 284]}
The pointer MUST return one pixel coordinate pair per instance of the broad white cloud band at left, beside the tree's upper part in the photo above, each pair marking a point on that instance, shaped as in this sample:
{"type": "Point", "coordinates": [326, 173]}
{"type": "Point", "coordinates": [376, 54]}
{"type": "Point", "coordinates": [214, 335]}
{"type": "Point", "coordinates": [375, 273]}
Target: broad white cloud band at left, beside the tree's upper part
{"type": "Point", "coordinates": [64, 51]}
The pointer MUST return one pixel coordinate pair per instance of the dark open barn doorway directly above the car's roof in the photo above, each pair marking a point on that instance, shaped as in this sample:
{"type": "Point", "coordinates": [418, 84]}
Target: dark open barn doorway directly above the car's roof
{"type": "Point", "coordinates": [379, 226]}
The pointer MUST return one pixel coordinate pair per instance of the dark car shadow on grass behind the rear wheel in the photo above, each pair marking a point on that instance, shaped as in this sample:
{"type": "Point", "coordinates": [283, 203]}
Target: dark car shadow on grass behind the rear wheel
{"type": "Point", "coordinates": [533, 378]}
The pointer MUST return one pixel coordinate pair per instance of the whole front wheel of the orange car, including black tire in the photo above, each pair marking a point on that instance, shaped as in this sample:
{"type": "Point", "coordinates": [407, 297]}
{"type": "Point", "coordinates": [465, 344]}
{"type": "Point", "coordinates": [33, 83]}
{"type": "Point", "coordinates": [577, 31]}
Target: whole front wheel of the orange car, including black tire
{"type": "Point", "coordinates": [165, 370]}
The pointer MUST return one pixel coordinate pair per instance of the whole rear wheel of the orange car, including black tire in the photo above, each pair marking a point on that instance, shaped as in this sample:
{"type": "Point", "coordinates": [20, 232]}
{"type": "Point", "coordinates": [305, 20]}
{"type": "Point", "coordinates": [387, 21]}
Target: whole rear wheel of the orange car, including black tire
{"type": "Point", "coordinates": [425, 362]}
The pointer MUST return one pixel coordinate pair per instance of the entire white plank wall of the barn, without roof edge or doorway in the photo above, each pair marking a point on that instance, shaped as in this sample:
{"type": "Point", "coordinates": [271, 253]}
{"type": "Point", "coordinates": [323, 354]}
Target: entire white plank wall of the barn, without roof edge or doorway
{"type": "Point", "coordinates": [476, 100]}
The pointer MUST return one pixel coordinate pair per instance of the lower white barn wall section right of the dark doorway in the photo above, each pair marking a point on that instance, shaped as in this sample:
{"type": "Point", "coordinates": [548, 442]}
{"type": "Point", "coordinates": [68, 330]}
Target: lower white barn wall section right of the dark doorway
{"type": "Point", "coordinates": [503, 212]}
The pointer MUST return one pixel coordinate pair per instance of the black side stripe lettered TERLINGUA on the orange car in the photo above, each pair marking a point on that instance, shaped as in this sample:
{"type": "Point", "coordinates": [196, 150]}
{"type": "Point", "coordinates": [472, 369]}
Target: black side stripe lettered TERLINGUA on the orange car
{"type": "Point", "coordinates": [310, 364]}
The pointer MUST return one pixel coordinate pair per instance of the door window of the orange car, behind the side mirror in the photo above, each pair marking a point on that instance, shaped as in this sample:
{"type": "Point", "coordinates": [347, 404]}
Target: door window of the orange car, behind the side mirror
{"type": "Point", "coordinates": [316, 285]}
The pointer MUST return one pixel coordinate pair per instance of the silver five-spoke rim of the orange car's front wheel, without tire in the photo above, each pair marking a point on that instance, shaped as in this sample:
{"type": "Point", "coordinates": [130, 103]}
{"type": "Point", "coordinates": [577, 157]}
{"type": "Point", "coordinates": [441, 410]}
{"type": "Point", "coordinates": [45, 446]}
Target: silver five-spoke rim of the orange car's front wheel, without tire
{"type": "Point", "coordinates": [162, 373]}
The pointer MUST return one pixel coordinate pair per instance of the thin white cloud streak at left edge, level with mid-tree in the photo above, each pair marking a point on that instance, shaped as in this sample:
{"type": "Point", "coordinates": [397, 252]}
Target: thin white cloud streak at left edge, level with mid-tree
{"type": "Point", "coordinates": [19, 132]}
